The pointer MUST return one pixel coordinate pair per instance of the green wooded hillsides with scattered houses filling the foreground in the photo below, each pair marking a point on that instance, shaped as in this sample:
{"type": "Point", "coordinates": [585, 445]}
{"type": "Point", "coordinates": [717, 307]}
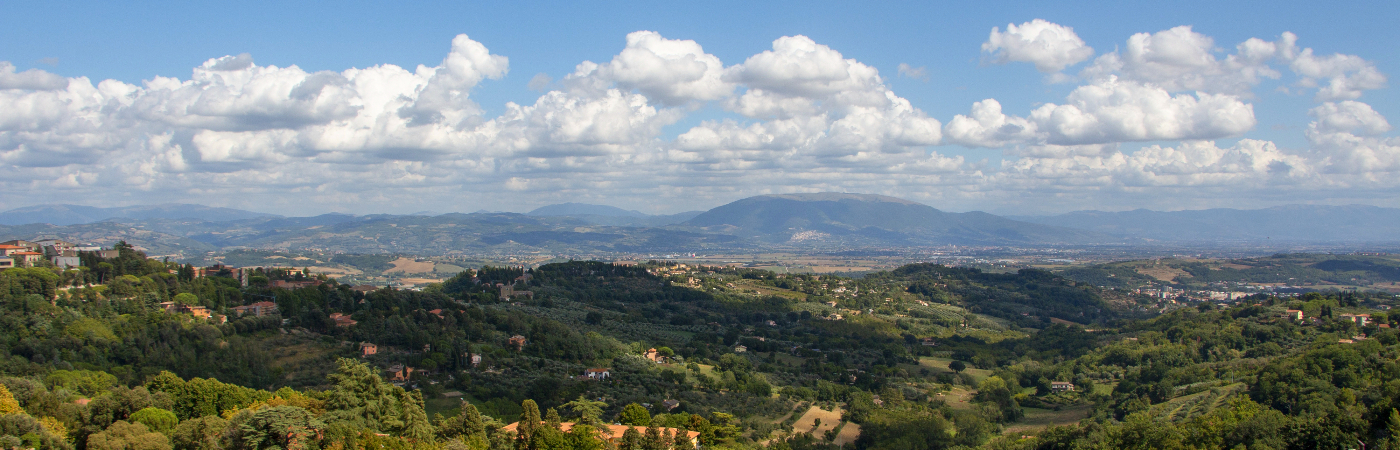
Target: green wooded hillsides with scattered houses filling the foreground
{"type": "Point", "coordinates": [138, 354]}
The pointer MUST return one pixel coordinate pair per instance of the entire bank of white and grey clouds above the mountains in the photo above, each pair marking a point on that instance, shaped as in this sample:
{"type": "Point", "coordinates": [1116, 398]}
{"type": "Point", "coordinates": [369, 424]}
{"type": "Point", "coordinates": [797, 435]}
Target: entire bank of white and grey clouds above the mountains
{"type": "Point", "coordinates": [1142, 124]}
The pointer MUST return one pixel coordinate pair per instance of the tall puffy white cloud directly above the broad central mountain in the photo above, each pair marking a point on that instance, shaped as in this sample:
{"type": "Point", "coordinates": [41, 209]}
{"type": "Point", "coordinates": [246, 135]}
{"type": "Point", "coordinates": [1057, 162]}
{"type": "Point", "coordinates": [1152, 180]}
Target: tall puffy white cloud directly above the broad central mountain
{"type": "Point", "coordinates": [808, 104]}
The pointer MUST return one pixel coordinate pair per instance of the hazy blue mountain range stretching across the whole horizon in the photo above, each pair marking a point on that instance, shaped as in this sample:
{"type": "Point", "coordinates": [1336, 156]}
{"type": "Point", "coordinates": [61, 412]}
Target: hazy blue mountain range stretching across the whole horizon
{"type": "Point", "coordinates": [792, 222]}
